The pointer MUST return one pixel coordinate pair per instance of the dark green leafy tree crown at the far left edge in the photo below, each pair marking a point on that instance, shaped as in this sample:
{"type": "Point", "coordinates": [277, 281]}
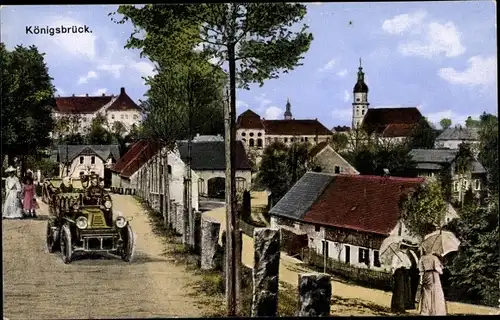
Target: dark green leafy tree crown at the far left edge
{"type": "Point", "coordinates": [27, 101]}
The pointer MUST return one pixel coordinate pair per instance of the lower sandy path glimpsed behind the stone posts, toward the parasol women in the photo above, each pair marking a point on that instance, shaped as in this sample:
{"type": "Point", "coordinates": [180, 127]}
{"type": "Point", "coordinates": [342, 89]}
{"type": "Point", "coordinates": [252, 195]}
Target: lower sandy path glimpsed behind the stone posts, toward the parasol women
{"type": "Point", "coordinates": [349, 300]}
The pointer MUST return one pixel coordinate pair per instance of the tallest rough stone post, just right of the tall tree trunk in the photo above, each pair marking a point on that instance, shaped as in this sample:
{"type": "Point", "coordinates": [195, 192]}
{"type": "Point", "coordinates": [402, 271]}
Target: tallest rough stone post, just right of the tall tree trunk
{"type": "Point", "coordinates": [265, 272]}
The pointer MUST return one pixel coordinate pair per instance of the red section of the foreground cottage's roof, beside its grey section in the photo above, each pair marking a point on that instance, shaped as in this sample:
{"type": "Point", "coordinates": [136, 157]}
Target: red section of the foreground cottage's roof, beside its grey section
{"type": "Point", "coordinates": [362, 203]}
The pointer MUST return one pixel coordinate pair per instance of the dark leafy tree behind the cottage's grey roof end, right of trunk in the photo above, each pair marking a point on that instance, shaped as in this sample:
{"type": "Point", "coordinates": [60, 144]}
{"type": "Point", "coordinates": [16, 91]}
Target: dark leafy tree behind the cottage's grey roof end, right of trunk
{"type": "Point", "coordinates": [281, 166]}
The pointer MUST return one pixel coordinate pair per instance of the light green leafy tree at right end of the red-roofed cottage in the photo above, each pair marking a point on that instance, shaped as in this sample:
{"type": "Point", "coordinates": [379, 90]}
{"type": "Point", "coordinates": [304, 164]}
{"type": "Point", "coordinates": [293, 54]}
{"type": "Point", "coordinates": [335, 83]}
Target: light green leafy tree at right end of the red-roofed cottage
{"type": "Point", "coordinates": [424, 209]}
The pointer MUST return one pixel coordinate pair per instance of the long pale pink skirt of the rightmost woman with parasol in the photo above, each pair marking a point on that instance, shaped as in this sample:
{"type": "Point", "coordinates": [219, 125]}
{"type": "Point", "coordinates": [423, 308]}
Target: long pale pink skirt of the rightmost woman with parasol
{"type": "Point", "coordinates": [432, 302]}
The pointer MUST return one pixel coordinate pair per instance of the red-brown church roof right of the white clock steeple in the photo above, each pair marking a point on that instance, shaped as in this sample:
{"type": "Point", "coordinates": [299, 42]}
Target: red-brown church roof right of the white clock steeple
{"type": "Point", "coordinates": [377, 120]}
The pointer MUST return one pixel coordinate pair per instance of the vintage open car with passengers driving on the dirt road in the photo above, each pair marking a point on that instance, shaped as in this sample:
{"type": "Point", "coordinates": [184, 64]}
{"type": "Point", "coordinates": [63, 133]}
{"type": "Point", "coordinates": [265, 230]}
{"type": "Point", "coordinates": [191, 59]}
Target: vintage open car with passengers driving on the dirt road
{"type": "Point", "coordinates": [84, 222]}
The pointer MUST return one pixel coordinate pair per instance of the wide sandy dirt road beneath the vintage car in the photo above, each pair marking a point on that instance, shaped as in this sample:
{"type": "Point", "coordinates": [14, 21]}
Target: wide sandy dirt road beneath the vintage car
{"type": "Point", "coordinates": [38, 285]}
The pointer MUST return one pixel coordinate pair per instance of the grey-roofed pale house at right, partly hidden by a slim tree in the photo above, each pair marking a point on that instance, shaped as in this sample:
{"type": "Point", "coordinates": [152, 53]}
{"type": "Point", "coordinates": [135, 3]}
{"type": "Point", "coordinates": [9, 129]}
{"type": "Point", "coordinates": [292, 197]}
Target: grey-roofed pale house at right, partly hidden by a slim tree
{"type": "Point", "coordinates": [431, 163]}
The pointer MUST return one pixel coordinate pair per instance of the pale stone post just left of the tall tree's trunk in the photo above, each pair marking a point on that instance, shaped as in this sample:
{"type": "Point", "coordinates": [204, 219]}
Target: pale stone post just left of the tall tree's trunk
{"type": "Point", "coordinates": [209, 243]}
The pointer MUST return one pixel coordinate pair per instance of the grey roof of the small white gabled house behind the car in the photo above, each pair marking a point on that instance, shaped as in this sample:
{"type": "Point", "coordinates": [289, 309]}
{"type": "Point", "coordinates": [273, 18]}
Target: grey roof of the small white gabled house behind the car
{"type": "Point", "coordinates": [70, 152]}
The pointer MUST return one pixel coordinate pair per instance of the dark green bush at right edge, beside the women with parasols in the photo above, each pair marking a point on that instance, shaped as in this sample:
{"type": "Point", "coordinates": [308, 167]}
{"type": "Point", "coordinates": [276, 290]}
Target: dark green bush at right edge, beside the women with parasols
{"type": "Point", "coordinates": [475, 270]}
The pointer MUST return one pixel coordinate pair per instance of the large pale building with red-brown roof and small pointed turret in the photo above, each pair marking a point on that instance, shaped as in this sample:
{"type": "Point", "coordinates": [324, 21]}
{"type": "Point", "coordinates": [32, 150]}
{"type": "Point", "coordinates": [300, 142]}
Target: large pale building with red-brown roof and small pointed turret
{"type": "Point", "coordinates": [256, 133]}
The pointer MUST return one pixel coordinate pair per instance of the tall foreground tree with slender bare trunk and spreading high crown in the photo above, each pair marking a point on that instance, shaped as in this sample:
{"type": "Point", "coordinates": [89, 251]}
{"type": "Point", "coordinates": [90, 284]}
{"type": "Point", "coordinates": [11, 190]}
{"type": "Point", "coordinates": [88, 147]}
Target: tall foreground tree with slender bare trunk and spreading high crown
{"type": "Point", "coordinates": [257, 42]}
